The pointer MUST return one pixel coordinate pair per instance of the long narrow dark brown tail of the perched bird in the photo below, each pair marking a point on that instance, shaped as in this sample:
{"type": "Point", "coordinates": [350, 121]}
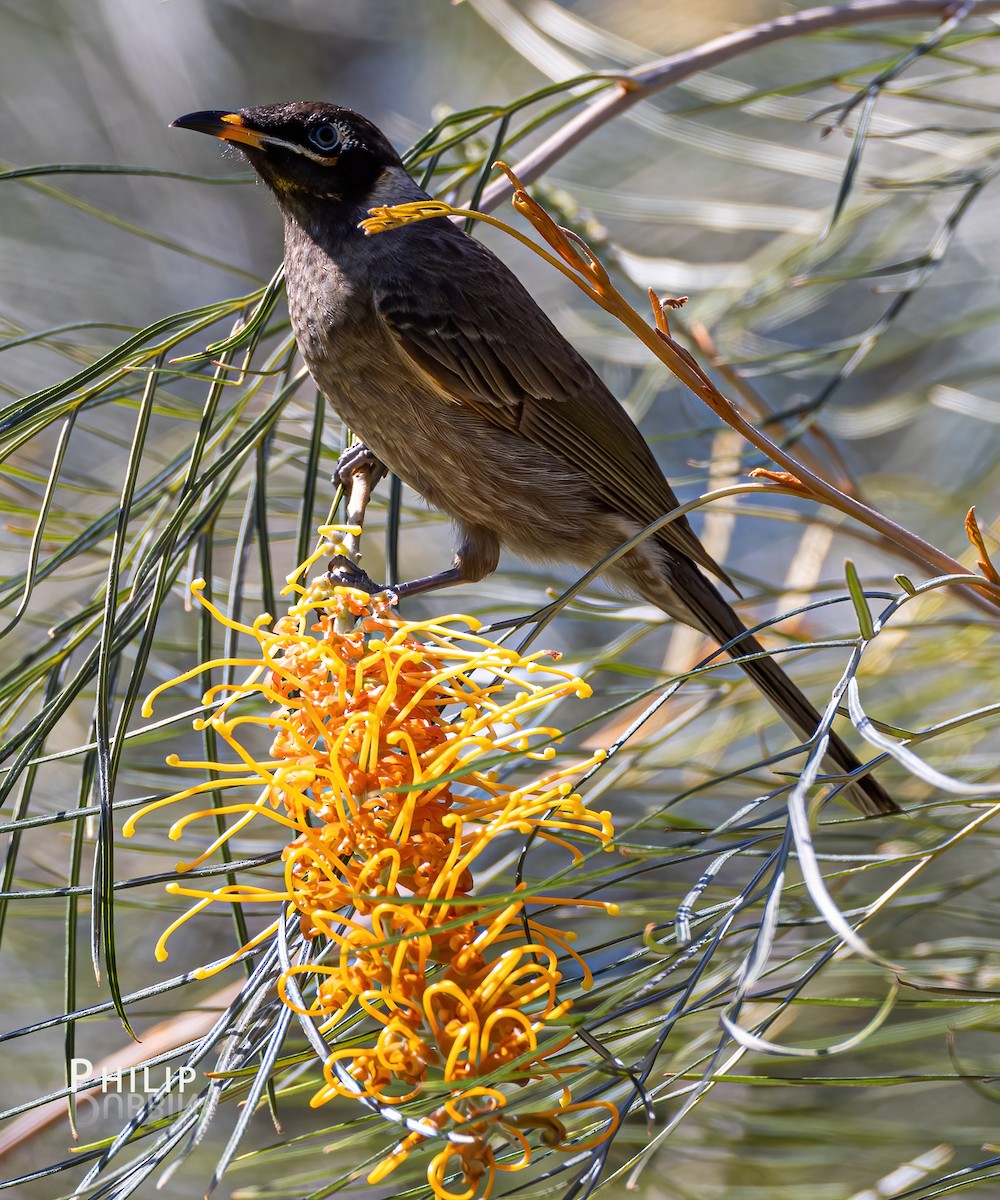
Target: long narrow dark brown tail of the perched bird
{"type": "Point", "coordinates": [705, 608]}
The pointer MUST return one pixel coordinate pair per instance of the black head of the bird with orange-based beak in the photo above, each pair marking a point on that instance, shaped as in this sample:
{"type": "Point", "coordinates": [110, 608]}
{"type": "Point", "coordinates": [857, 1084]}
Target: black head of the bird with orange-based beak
{"type": "Point", "coordinates": [304, 151]}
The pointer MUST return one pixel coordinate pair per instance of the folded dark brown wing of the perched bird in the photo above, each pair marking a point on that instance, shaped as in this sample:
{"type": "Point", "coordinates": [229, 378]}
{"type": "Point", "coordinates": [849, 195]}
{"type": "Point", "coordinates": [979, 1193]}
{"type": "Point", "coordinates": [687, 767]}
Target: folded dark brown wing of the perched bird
{"type": "Point", "coordinates": [466, 321]}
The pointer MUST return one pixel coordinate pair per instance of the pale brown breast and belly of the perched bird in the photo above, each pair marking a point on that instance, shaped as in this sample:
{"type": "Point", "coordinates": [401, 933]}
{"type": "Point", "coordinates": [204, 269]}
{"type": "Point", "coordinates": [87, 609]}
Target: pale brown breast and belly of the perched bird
{"type": "Point", "coordinates": [477, 472]}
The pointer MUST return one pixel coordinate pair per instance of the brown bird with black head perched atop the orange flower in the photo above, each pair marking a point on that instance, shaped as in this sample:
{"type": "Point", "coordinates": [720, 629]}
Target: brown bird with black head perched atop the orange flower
{"type": "Point", "coordinates": [452, 376]}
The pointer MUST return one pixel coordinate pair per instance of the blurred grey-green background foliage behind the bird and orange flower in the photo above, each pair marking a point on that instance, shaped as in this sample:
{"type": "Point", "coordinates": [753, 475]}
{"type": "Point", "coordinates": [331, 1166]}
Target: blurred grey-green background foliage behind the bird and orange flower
{"type": "Point", "coordinates": [869, 344]}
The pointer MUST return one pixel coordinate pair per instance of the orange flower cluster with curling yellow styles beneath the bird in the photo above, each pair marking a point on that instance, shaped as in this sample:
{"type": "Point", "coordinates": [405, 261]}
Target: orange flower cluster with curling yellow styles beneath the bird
{"type": "Point", "coordinates": [384, 770]}
